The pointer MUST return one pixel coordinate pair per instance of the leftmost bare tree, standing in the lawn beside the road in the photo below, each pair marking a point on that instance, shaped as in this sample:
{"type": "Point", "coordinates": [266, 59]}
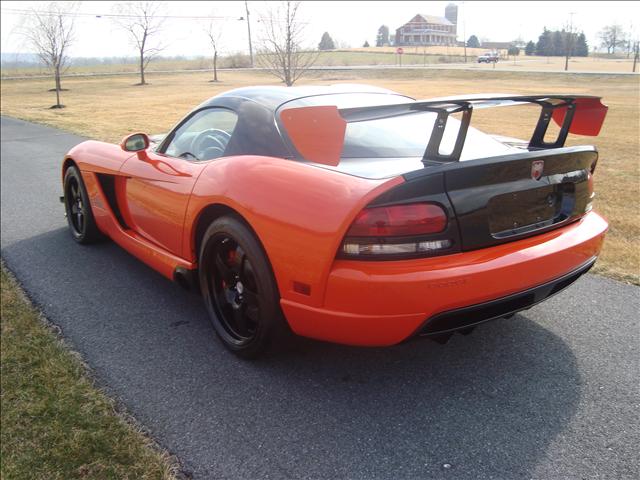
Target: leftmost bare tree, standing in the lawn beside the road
{"type": "Point", "coordinates": [50, 32]}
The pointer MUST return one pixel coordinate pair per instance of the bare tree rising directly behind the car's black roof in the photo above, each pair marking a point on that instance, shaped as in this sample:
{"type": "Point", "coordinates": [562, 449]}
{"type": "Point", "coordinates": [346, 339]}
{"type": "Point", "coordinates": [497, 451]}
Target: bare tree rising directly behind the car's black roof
{"type": "Point", "coordinates": [282, 53]}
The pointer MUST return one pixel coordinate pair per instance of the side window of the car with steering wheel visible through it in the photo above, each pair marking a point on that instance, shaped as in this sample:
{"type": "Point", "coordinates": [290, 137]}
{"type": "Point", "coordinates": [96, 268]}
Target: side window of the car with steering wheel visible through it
{"type": "Point", "coordinates": [204, 136]}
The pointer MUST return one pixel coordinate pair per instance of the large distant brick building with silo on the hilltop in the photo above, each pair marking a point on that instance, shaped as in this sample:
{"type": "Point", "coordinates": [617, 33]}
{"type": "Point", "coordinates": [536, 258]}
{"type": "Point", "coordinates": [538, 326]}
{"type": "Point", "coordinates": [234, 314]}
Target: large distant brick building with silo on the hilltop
{"type": "Point", "coordinates": [429, 29]}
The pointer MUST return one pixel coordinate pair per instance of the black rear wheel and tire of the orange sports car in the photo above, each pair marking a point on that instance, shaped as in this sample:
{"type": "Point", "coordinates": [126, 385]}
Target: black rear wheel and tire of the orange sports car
{"type": "Point", "coordinates": [239, 289]}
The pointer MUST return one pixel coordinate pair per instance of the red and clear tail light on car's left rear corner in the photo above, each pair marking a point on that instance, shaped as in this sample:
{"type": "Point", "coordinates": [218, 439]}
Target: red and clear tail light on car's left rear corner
{"type": "Point", "coordinates": [396, 231]}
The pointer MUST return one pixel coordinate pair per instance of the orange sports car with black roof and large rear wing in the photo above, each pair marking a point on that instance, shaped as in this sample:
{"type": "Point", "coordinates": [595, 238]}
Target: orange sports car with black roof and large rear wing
{"type": "Point", "coordinates": [349, 213]}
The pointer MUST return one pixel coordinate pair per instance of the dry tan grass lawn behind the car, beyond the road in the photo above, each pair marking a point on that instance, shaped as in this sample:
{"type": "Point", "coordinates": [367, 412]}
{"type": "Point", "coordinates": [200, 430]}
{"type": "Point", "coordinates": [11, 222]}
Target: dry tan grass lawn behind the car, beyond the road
{"type": "Point", "coordinates": [107, 108]}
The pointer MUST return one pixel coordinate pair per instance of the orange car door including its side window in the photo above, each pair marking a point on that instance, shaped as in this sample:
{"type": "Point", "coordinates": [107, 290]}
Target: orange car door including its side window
{"type": "Point", "coordinates": [159, 183]}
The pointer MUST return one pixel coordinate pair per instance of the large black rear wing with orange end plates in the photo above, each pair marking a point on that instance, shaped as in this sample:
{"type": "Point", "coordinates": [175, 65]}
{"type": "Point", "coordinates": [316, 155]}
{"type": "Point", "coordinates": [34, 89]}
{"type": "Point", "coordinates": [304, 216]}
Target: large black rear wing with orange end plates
{"type": "Point", "coordinates": [577, 114]}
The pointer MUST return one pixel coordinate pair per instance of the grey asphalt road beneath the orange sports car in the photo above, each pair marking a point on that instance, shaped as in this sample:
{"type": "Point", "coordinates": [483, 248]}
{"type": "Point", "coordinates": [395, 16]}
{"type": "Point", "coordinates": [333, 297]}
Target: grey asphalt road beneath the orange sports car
{"type": "Point", "coordinates": [552, 393]}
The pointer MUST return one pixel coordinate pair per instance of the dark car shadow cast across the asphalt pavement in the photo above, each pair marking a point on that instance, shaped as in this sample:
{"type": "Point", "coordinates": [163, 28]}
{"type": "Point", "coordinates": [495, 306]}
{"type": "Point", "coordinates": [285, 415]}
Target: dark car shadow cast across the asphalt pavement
{"type": "Point", "coordinates": [485, 405]}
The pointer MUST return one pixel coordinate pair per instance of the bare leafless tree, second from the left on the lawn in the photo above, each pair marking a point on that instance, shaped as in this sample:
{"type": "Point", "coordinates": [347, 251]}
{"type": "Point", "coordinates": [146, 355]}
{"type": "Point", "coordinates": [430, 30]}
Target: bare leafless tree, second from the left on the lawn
{"type": "Point", "coordinates": [143, 23]}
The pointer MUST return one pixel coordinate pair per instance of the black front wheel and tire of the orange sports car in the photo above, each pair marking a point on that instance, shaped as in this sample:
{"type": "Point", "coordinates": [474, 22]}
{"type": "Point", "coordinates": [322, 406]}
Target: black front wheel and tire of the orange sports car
{"type": "Point", "coordinates": [82, 224]}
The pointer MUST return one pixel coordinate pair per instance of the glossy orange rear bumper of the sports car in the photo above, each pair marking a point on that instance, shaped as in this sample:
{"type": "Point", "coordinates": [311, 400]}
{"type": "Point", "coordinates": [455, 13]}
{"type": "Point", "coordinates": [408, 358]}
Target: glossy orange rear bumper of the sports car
{"type": "Point", "coordinates": [384, 303]}
